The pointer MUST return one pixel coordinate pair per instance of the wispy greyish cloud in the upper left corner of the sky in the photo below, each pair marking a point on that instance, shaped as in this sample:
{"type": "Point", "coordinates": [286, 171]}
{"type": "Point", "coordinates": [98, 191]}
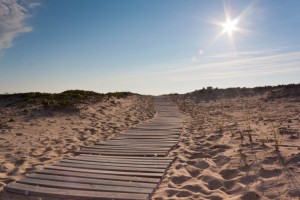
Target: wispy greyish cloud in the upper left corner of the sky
{"type": "Point", "coordinates": [12, 20]}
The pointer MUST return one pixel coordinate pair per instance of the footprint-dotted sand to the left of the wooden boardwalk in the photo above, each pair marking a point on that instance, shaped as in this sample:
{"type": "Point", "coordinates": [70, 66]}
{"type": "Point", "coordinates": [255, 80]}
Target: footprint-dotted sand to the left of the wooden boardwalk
{"type": "Point", "coordinates": [33, 137]}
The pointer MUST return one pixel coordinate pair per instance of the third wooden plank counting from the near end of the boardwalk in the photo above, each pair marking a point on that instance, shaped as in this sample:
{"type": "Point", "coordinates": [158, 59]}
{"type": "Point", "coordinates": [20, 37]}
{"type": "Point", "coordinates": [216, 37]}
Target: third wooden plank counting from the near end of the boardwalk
{"type": "Point", "coordinates": [92, 181]}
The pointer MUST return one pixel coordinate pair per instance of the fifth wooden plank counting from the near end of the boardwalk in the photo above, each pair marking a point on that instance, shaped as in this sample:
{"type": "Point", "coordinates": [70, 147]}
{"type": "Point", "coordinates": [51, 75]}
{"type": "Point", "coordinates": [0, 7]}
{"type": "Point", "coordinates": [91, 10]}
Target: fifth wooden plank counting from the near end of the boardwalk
{"type": "Point", "coordinates": [125, 173]}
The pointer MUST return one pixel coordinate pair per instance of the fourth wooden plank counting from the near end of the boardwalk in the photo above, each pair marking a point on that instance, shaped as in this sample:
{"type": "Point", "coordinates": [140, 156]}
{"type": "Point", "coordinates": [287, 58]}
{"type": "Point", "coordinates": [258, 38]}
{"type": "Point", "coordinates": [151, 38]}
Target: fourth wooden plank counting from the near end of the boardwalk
{"type": "Point", "coordinates": [98, 176]}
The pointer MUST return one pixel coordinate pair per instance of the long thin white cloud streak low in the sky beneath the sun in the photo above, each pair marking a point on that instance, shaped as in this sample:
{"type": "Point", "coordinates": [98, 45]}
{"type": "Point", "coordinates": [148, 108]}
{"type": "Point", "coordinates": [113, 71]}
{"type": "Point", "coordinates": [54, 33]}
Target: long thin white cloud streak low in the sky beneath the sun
{"type": "Point", "coordinates": [240, 67]}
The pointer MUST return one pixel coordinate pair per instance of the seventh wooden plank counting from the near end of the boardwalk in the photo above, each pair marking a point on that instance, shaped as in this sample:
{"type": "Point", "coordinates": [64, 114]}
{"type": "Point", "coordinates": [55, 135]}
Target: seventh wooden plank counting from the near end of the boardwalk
{"type": "Point", "coordinates": [158, 166]}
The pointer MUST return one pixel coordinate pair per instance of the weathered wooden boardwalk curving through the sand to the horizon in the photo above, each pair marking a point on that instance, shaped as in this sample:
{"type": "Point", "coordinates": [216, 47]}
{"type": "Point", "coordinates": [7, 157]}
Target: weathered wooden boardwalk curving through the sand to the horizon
{"type": "Point", "coordinates": [129, 166]}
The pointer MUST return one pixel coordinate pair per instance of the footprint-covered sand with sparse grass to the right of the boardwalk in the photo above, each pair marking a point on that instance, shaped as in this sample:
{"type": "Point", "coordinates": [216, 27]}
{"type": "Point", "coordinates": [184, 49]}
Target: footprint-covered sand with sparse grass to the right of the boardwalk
{"type": "Point", "coordinates": [214, 162]}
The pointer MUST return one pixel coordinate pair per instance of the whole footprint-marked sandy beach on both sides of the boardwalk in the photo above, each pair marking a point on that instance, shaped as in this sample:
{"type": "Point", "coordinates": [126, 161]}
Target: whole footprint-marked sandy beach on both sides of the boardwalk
{"type": "Point", "coordinates": [236, 143]}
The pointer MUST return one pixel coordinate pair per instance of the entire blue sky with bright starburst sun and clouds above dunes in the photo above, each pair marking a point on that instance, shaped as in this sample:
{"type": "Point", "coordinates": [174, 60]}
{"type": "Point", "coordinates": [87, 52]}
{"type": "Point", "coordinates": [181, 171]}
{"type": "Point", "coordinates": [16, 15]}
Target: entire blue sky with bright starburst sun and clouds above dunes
{"type": "Point", "coordinates": [147, 46]}
